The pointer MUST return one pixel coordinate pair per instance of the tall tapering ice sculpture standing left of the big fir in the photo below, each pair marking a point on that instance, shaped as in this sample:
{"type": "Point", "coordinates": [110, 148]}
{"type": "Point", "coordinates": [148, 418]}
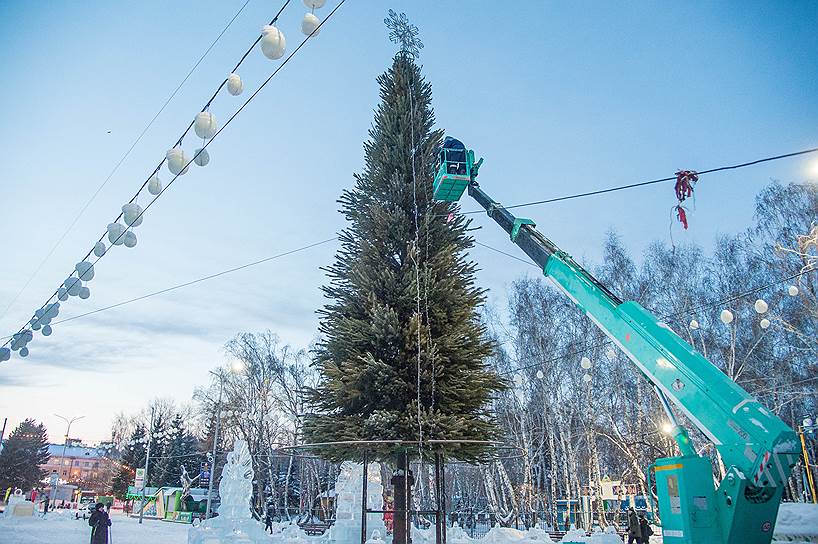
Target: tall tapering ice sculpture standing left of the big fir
{"type": "Point", "coordinates": [235, 523]}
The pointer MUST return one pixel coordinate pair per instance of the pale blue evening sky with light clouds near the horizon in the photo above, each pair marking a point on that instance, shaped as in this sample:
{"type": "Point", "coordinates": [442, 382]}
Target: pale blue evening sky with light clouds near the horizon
{"type": "Point", "coordinates": [558, 98]}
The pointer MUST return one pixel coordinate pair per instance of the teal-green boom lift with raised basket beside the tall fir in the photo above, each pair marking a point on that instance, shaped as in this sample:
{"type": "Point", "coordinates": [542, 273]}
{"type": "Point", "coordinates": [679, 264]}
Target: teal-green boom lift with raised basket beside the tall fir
{"type": "Point", "coordinates": [758, 449]}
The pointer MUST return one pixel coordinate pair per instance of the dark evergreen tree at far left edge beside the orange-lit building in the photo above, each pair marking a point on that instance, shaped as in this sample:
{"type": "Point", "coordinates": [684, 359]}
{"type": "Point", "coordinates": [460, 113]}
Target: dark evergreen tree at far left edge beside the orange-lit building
{"type": "Point", "coordinates": [23, 453]}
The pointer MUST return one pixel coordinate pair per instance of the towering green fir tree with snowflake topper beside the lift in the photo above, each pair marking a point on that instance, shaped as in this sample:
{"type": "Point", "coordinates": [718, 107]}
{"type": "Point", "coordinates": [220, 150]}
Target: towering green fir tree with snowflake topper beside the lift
{"type": "Point", "coordinates": [402, 297]}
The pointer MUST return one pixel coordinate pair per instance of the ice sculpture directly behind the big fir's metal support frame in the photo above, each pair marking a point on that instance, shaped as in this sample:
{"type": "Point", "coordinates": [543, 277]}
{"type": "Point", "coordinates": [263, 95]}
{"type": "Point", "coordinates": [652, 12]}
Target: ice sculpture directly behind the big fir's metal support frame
{"type": "Point", "coordinates": [347, 527]}
